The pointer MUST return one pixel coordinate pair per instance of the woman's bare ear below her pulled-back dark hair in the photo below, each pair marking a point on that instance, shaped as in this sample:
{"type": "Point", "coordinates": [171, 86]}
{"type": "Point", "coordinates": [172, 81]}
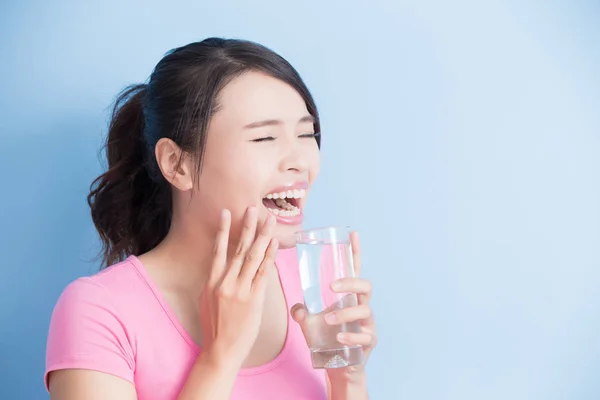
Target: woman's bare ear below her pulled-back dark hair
{"type": "Point", "coordinates": [175, 164]}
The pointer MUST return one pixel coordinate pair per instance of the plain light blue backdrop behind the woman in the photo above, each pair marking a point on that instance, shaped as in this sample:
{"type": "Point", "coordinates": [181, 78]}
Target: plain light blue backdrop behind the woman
{"type": "Point", "coordinates": [462, 139]}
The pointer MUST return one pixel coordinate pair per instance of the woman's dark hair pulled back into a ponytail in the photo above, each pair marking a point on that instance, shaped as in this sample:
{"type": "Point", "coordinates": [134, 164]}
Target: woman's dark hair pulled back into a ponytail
{"type": "Point", "coordinates": [131, 202]}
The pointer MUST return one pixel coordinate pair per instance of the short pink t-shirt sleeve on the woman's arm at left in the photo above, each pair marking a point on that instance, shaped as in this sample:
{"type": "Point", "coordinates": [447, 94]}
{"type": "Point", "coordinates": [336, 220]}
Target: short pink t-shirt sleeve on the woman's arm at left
{"type": "Point", "coordinates": [87, 332]}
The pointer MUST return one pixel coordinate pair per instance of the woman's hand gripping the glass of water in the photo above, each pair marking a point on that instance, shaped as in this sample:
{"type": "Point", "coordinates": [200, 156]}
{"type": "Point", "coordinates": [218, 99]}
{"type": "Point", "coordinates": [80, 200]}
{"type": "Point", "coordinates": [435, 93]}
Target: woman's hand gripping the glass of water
{"type": "Point", "coordinates": [362, 313]}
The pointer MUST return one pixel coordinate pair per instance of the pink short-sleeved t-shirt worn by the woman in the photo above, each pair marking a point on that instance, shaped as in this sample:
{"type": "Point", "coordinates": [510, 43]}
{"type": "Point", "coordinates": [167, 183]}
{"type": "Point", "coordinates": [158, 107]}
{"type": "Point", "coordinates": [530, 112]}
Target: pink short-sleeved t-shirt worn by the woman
{"type": "Point", "coordinates": [117, 322]}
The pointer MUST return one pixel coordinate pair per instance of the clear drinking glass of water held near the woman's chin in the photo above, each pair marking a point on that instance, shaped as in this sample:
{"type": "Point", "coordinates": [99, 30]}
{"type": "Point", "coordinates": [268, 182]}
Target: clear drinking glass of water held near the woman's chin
{"type": "Point", "coordinates": [325, 255]}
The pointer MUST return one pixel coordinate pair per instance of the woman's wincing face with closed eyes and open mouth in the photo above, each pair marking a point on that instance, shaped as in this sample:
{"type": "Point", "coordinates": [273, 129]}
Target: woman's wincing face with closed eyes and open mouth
{"type": "Point", "coordinates": [260, 151]}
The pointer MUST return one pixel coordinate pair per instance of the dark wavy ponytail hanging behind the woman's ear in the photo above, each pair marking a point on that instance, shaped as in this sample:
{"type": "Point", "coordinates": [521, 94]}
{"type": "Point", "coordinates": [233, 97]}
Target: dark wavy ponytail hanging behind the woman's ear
{"type": "Point", "coordinates": [130, 209]}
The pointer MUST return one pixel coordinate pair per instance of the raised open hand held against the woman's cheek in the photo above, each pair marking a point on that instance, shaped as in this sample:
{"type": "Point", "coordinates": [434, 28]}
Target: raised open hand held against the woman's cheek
{"type": "Point", "coordinates": [231, 304]}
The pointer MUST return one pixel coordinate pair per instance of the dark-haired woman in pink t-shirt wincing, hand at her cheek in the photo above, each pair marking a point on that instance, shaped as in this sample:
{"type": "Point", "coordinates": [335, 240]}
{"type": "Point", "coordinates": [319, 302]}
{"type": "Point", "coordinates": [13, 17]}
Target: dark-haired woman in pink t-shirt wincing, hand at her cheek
{"type": "Point", "coordinates": [194, 301]}
